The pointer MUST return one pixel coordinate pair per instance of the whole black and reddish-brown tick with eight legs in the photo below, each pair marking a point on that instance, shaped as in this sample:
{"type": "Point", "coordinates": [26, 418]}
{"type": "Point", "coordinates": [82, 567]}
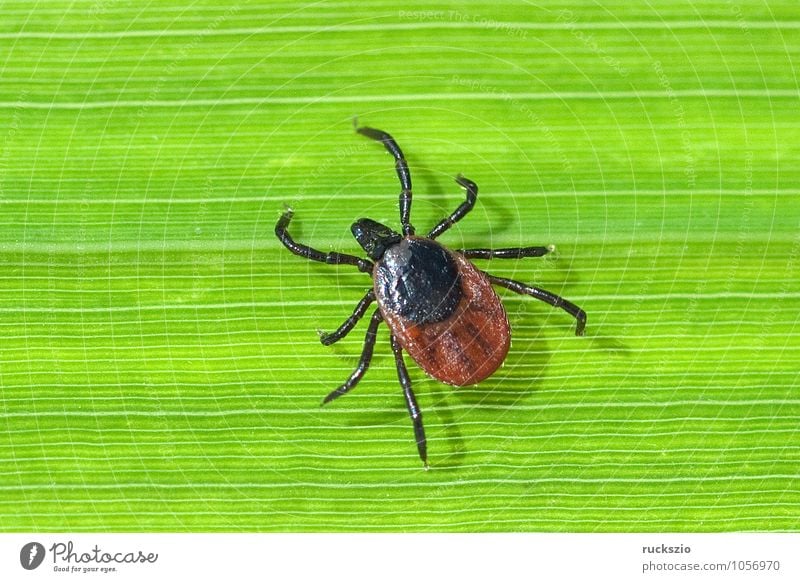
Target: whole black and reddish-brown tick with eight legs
{"type": "Point", "coordinates": [440, 308]}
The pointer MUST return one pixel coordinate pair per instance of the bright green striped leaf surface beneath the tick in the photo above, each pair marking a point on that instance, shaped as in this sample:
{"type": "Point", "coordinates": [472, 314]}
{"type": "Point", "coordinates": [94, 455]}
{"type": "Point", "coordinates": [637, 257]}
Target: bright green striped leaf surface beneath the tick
{"type": "Point", "coordinates": [159, 364]}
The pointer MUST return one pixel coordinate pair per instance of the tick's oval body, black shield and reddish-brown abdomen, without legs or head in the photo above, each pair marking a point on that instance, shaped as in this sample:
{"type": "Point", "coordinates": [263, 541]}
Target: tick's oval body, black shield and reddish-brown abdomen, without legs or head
{"type": "Point", "coordinates": [442, 310]}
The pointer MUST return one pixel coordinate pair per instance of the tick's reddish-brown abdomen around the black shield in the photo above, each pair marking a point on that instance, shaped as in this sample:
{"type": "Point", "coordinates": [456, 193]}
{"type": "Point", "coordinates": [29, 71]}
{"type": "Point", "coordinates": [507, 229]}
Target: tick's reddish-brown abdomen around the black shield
{"type": "Point", "coordinates": [467, 346]}
